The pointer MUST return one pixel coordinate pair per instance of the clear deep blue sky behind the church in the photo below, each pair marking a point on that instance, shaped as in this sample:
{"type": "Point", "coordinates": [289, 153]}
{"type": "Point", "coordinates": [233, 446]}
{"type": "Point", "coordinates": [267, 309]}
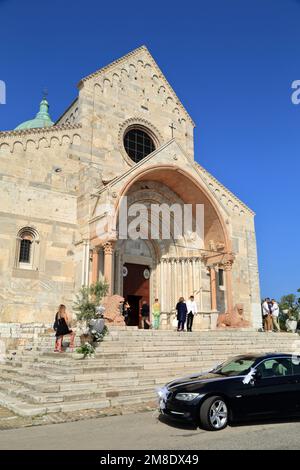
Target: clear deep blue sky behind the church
{"type": "Point", "coordinates": [231, 62]}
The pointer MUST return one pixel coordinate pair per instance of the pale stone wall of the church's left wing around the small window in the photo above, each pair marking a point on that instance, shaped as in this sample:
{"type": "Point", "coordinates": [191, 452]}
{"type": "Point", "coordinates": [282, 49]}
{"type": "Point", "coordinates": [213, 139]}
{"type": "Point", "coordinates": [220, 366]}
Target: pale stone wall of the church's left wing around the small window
{"type": "Point", "coordinates": [38, 185]}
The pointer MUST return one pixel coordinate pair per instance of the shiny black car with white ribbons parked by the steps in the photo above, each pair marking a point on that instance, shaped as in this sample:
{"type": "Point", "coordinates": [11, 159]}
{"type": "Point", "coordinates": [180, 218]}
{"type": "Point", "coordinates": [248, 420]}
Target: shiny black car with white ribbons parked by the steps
{"type": "Point", "coordinates": [247, 387]}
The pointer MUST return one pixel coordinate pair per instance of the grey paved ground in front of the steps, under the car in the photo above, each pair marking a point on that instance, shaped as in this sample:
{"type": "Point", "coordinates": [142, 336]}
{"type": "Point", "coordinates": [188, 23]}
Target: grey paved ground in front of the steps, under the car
{"type": "Point", "coordinates": [145, 431]}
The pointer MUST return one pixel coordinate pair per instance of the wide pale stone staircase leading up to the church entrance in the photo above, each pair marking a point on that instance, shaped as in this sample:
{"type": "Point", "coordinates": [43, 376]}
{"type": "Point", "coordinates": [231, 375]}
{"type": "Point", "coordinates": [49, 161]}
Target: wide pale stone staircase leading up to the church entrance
{"type": "Point", "coordinates": [129, 365]}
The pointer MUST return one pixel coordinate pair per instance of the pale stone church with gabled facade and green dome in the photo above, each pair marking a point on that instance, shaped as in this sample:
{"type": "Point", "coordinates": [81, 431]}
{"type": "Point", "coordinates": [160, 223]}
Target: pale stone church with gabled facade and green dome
{"type": "Point", "coordinates": [126, 134]}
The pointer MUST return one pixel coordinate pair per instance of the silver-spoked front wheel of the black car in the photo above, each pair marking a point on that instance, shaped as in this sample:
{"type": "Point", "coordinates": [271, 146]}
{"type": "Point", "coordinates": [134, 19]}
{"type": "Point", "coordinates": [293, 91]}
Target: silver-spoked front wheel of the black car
{"type": "Point", "coordinates": [214, 414]}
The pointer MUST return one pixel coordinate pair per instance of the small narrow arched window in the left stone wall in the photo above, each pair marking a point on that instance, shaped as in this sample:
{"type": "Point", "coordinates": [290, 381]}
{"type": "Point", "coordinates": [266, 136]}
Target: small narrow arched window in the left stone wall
{"type": "Point", "coordinates": [27, 237]}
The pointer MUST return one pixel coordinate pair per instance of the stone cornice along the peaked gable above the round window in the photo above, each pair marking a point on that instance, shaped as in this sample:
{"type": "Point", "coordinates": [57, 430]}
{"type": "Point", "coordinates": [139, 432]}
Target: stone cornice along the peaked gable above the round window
{"type": "Point", "coordinates": [134, 53]}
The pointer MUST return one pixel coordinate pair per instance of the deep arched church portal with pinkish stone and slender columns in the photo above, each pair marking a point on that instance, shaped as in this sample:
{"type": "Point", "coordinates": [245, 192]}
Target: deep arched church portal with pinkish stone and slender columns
{"type": "Point", "coordinates": [179, 266]}
